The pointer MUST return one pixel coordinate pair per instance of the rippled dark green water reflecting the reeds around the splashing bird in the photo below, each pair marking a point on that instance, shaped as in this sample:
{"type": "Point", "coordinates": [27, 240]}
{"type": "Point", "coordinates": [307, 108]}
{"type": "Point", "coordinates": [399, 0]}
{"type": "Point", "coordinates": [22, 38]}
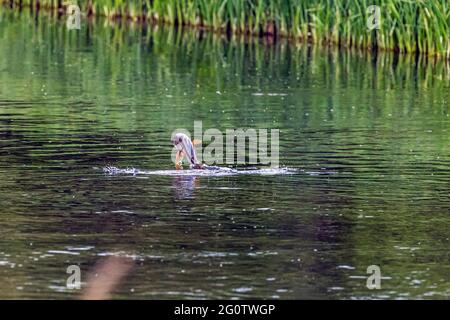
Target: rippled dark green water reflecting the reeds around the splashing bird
{"type": "Point", "coordinates": [369, 136]}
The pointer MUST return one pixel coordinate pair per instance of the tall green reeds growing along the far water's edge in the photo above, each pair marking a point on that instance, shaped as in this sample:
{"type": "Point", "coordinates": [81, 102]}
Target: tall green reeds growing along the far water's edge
{"type": "Point", "coordinates": [405, 26]}
